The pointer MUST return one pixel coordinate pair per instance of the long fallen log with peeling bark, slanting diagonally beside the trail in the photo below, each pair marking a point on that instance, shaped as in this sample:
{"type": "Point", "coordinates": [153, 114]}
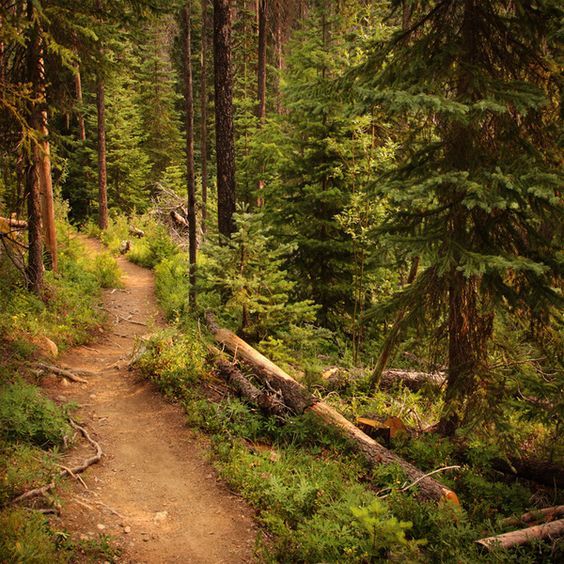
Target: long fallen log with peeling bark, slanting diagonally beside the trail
{"type": "Point", "coordinates": [299, 400]}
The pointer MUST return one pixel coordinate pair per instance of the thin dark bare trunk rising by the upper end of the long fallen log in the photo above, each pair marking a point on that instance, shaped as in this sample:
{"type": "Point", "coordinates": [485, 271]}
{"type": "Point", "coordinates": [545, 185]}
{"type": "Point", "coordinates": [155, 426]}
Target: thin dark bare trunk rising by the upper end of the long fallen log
{"type": "Point", "coordinates": [189, 110]}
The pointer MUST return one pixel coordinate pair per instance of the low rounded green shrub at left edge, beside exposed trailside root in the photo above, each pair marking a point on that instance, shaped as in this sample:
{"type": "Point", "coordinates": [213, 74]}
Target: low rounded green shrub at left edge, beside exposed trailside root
{"type": "Point", "coordinates": [26, 415]}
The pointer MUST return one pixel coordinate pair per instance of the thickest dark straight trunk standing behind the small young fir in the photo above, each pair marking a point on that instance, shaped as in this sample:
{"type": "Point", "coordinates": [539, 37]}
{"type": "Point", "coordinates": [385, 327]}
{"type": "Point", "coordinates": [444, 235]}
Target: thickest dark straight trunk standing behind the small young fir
{"type": "Point", "coordinates": [225, 143]}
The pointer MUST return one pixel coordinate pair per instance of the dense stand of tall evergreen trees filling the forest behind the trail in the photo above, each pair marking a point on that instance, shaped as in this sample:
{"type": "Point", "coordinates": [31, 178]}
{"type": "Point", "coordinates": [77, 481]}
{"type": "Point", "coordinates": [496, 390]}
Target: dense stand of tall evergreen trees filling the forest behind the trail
{"type": "Point", "coordinates": [373, 183]}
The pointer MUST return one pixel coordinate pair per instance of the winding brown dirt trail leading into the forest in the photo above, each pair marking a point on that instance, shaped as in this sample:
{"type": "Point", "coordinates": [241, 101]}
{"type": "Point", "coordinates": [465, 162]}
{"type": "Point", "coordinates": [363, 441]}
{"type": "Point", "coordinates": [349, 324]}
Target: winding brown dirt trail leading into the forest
{"type": "Point", "coordinates": [154, 489]}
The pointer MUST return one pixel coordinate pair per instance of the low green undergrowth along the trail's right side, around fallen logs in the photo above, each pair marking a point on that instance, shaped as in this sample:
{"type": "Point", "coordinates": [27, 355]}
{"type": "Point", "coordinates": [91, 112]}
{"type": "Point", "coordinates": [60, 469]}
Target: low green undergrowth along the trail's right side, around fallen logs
{"type": "Point", "coordinates": [315, 499]}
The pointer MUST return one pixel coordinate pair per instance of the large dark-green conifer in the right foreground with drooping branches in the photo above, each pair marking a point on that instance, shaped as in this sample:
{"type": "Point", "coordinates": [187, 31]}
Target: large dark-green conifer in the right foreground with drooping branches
{"type": "Point", "coordinates": [474, 192]}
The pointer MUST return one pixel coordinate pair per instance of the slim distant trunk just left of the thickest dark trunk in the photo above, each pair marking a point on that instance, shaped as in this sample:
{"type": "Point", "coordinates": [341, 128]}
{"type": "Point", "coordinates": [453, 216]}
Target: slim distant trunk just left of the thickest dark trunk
{"type": "Point", "coordinates": [204, 112]}
